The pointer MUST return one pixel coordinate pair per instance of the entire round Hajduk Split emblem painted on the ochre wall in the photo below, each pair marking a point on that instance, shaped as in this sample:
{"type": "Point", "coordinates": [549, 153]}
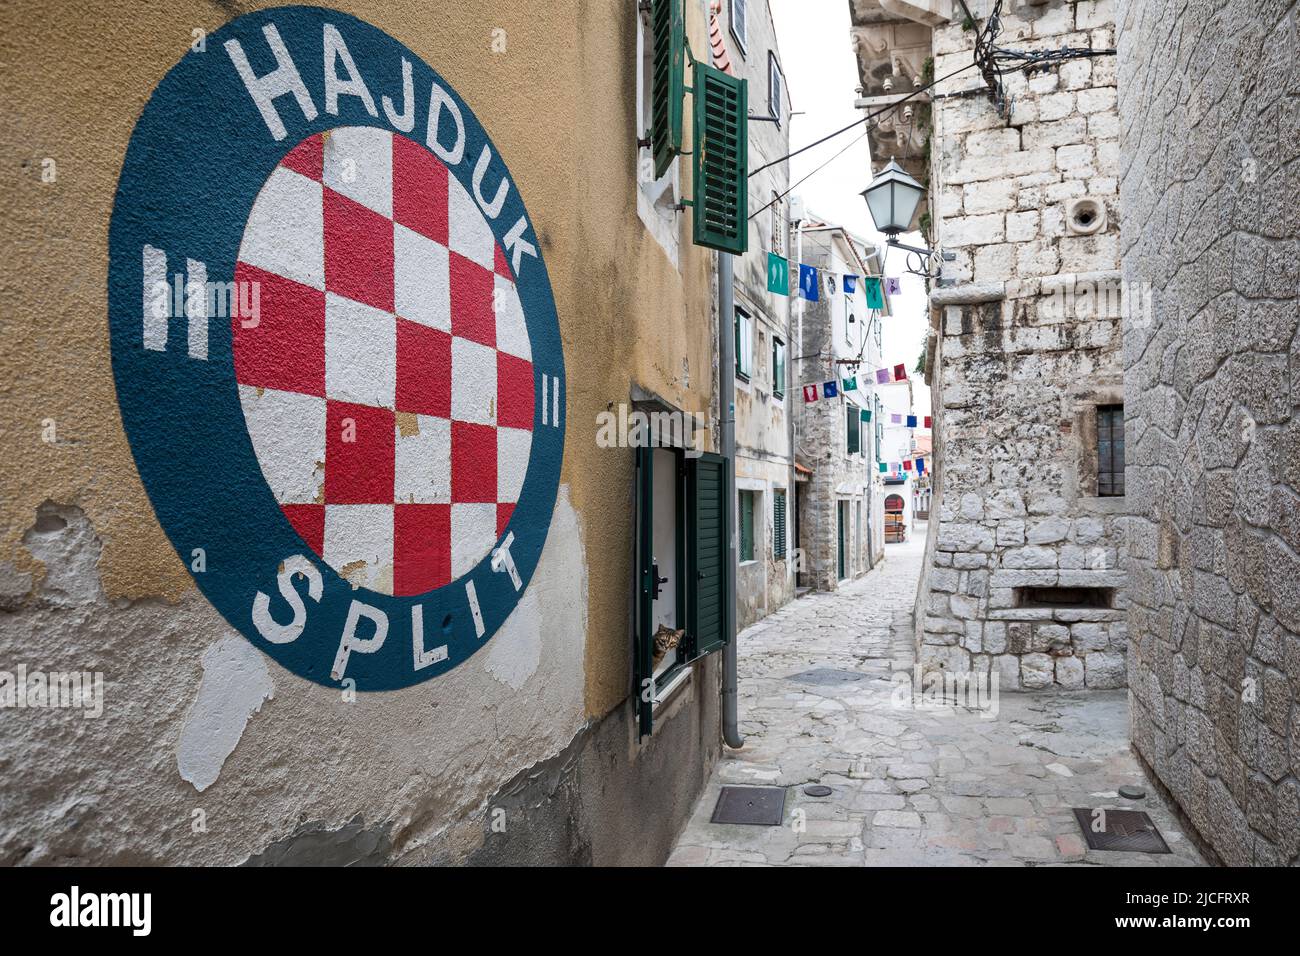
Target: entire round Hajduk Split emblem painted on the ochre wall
{"type": "Point", "coordinates": [336, 349]}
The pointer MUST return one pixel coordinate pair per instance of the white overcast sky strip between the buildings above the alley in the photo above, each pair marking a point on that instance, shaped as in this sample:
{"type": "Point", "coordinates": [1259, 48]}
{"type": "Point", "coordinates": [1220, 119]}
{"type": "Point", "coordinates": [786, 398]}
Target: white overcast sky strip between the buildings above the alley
{"type": "Point", "coordinates": [822, 80]}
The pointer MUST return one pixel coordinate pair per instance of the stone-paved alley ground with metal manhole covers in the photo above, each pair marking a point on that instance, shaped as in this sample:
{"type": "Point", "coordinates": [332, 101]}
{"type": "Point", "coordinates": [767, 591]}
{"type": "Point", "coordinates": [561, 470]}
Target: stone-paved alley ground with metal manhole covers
{"type": "Point", "coordinates": [825, 700]}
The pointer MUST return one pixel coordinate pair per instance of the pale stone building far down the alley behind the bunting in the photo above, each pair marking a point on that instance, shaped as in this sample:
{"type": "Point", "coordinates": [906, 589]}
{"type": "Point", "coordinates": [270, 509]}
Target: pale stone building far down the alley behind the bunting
{"type": "Point", "coordinates": [840, 504]}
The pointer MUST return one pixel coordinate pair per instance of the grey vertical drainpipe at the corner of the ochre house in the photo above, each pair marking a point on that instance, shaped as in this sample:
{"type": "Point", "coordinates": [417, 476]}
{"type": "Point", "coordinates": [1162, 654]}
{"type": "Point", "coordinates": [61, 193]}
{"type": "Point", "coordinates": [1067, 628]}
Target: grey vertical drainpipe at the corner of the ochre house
{"type": "Point", "coordinates": [727, 421]}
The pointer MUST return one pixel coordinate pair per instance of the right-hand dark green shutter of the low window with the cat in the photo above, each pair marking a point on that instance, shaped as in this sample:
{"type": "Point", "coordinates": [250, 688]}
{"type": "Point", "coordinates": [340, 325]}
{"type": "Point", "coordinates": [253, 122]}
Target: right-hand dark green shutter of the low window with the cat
{"type": "Point", "coordinates": [708, 555]}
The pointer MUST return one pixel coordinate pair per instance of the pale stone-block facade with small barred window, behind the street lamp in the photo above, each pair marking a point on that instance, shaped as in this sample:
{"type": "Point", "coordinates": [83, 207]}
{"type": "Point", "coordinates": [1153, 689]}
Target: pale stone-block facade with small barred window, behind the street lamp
{"type": "Point", "coordinates": [1025, 572]}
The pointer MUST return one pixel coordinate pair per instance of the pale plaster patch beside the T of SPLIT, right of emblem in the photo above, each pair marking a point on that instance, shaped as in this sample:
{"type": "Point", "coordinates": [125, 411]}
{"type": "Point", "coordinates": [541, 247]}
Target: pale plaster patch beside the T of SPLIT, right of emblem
{"type": "Point", "coordinates": [554, 605]}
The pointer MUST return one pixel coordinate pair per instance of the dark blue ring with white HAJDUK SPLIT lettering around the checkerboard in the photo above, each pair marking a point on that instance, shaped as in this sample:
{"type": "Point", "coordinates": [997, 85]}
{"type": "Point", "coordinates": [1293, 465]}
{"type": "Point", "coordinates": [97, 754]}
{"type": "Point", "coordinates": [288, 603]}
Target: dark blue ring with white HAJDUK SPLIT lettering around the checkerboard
{"type": "Point", "coordinates": [197, 159]}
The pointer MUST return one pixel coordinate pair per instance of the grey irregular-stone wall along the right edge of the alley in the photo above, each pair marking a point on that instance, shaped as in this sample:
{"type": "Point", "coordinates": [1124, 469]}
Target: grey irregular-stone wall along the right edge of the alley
{"type": "Point", "coordinates": [1211, 159]}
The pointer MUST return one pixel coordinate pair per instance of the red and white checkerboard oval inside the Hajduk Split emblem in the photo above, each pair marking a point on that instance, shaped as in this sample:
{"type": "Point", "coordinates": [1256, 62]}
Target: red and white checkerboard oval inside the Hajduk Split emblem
{"type": "Point", "coordinates": [388, 386]}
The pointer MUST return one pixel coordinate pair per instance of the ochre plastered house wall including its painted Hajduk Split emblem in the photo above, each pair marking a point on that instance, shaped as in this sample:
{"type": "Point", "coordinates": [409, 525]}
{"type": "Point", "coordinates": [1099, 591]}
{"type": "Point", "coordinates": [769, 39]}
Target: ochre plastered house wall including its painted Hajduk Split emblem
{"type": "Point", "coordinates": [245, 723]}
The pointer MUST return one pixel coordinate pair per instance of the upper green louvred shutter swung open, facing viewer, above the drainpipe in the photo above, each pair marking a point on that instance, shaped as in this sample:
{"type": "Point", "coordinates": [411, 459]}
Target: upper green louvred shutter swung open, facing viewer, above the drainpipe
{"type": "Point", "coordinates": [721, 161]}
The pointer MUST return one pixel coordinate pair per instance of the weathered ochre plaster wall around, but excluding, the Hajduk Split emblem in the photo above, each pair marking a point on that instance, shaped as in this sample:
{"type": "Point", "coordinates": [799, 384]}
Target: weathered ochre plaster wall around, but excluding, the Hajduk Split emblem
{"type": "Point", "coordinates": [207, 751]}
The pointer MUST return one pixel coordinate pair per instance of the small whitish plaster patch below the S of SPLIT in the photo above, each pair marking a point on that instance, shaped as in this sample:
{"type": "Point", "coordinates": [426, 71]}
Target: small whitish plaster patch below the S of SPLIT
{"type": "Point", "coordinates": [236, 682]}
